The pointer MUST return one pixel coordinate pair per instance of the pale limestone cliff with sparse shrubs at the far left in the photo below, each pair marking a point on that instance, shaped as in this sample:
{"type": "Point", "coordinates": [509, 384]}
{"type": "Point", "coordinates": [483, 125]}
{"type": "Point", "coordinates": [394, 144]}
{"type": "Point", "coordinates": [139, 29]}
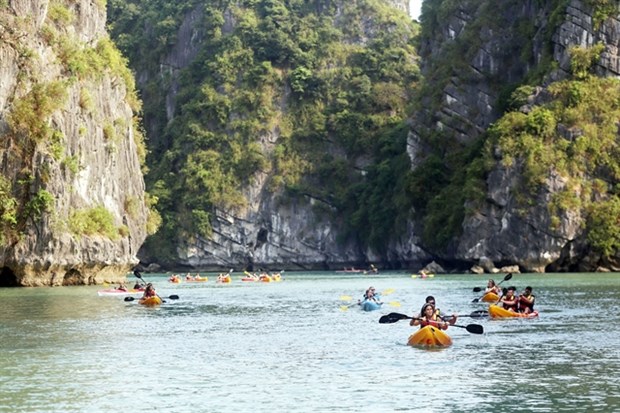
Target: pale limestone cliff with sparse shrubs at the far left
{"type": "Point", "coordinates": [73, 209]}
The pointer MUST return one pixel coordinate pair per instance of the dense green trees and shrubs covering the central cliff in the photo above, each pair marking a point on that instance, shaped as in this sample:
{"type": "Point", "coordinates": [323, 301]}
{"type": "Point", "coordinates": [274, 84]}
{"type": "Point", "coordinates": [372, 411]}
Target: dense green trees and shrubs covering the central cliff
{"type": "Point", "coordinates": [340, 131]}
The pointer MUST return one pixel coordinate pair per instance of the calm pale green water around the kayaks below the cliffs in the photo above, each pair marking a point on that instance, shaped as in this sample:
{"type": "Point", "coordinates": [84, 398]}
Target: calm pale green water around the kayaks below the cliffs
{"type": "Point", "coordinates": [282, 347]}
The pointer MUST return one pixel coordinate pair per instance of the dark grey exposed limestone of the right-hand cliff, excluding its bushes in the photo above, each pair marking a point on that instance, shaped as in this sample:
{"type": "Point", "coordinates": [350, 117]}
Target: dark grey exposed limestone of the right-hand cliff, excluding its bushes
{"type": "Point", "coordinates": [498, 54]}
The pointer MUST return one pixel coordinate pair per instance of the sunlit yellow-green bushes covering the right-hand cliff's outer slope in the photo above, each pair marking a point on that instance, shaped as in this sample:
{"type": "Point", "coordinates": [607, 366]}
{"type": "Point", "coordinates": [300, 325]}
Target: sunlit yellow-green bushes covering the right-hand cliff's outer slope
{"type": "Point", "coordinates": [574, 137]}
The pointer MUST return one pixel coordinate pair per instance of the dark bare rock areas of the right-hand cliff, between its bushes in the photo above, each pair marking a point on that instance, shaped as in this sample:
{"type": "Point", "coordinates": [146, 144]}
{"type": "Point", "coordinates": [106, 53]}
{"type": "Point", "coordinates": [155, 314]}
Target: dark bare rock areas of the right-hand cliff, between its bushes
{"type": "Point", "coordinates": [502, 230]}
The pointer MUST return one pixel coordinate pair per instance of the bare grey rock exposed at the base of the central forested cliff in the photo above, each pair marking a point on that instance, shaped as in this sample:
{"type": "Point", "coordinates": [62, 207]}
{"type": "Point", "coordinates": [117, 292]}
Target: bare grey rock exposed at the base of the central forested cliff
{"type": "Point", "coordinates": [272, 231]}
